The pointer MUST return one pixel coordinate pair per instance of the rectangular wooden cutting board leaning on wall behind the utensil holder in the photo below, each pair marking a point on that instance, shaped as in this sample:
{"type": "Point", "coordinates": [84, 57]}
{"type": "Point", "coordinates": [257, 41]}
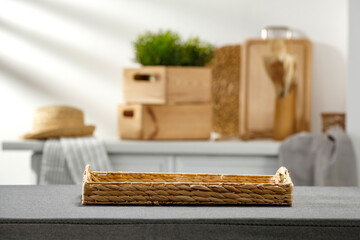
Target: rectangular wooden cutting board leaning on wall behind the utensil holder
{"type": "Point", "coordinates": [257, 94]}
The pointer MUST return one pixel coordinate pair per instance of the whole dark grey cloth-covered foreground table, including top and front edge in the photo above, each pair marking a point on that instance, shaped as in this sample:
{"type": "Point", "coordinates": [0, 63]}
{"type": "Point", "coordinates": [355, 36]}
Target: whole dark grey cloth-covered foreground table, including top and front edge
{"type": "Point", "coordinates": [54, 212]}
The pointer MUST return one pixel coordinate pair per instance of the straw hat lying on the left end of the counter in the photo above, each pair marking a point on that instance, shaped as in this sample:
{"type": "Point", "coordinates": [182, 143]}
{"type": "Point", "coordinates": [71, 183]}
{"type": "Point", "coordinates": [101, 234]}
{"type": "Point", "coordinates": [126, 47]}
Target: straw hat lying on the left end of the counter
{"type": "Point", "coordinates": [58, 121]}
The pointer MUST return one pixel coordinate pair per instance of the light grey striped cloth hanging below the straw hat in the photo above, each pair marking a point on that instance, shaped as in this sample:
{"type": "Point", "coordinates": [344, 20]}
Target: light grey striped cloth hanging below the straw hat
{"type": "Point", "coordinates": [64, 159]}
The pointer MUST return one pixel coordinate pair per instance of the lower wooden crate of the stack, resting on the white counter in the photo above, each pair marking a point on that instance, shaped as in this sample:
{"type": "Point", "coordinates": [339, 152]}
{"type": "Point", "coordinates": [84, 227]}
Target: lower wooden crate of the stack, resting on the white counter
{"type": "Point", "coordinates": [164, 122]}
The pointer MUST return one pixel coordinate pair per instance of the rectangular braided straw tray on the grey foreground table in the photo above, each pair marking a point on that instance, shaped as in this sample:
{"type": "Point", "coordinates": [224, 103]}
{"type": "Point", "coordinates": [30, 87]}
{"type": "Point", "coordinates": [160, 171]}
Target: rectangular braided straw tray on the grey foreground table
{"type": "Point", "coordinates": [182, 189]}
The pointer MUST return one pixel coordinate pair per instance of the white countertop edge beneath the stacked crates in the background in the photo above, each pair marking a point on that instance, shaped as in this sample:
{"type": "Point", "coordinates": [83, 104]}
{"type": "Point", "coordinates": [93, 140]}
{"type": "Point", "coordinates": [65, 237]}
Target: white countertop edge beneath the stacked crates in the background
{"type": "Point", "coordinates": [233, 147]}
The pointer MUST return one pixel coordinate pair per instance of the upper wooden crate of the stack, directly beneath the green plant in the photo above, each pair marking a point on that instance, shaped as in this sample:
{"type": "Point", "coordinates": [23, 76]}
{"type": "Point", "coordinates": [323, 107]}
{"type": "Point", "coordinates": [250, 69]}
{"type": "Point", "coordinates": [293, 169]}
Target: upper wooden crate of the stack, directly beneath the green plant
{"type": "Point", "coordinates": [167, 85]}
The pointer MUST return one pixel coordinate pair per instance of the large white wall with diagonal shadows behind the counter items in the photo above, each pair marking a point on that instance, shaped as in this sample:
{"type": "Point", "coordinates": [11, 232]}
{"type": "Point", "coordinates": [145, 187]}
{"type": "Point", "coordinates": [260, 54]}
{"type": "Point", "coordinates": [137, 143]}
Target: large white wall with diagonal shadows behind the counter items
{"type": "Point", "coordinates": [73, 52]}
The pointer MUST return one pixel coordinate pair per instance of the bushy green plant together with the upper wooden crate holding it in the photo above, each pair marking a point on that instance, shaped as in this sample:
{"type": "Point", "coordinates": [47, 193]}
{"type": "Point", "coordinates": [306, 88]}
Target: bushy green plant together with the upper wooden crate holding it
{"type": "Point", "coordinates": [172, 70]}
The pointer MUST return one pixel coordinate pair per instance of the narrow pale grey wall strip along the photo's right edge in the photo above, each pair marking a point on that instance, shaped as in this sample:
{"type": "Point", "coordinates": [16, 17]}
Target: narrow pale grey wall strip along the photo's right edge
{"type": "Point", "coordinates": [353, 86]}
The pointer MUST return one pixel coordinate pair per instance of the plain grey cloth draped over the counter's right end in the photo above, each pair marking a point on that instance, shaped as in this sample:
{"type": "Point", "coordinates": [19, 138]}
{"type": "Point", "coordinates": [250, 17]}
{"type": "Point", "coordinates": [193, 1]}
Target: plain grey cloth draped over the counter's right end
{"type": "Point", "coordinates": [320, 159]}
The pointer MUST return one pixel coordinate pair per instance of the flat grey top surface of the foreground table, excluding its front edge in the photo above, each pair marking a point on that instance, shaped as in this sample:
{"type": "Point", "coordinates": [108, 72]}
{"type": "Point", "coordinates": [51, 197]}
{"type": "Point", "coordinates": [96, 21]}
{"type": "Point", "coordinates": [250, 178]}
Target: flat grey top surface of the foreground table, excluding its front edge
{"type": "Point", "coordinates": [63, 202]}
